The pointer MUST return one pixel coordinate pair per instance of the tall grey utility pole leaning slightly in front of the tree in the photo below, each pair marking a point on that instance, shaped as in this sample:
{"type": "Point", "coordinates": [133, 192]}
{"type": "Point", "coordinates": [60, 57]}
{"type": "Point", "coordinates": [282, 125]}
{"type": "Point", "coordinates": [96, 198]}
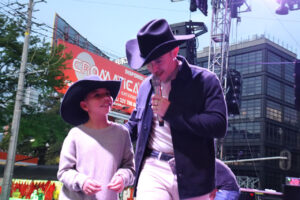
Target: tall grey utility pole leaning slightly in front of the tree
{"type": "Point", "coordinates": [10, 161]}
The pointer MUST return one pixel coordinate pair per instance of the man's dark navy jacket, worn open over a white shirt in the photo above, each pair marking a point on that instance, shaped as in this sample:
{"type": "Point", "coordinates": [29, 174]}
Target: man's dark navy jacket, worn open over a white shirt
{"type": "Point", "coordinates": [197, 114]}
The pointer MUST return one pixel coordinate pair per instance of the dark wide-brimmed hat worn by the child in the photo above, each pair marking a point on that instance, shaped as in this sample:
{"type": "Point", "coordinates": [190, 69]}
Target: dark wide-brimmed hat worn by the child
{"type": "Point", "coordinates": [70, 109]}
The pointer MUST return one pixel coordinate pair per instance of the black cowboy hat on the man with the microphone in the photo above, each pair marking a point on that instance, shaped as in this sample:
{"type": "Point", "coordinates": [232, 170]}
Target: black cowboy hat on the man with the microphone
{"type": "Point", "coordinates": [153, 40]}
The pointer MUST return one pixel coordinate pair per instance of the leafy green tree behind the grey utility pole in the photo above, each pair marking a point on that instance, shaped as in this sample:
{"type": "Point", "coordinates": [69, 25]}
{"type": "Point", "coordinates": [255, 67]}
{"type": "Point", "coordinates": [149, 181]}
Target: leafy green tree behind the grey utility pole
{"type": "Point", "coordinates": [41, 121]}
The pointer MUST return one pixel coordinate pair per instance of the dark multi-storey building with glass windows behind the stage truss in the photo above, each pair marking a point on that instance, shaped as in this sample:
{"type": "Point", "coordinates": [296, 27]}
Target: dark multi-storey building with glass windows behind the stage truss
{"type": "Point", "coordinates": [268, 121]}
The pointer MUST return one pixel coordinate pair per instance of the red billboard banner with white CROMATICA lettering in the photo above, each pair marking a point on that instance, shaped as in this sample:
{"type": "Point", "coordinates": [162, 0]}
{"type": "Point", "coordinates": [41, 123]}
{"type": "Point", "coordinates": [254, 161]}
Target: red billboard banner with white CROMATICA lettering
{"type": "Point", "coordinates": [85, 63]}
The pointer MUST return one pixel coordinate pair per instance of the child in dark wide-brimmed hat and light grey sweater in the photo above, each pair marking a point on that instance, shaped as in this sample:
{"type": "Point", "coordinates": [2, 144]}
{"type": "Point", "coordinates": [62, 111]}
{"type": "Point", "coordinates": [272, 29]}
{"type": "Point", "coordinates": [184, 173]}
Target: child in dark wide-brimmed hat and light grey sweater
{"type": "Point", "coordinates": [96, 160]}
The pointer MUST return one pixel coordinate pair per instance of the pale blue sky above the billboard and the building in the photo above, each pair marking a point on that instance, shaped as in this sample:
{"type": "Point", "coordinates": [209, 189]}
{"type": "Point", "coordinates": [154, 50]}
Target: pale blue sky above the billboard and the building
{"type": "Point", "coordinates": [108, 24]}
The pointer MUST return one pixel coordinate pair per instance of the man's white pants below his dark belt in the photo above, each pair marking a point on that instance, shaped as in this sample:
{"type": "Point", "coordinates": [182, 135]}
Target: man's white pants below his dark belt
{"type": "Point", "coordinates": [157, 182]}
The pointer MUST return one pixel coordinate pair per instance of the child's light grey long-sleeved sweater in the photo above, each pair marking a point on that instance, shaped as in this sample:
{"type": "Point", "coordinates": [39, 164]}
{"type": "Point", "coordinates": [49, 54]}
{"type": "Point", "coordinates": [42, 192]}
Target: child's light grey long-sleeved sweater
{"type": "Point", "coordinates": [98, 154]}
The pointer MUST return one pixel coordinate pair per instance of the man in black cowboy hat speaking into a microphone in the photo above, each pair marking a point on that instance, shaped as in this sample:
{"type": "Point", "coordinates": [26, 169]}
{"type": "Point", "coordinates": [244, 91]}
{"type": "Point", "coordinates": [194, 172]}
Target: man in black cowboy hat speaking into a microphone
{"type": "Point", "coordinates": [174, 159]}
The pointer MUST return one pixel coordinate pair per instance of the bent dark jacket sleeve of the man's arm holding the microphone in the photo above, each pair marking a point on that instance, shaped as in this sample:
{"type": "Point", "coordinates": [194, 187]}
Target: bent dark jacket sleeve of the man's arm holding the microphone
{"type": "Point", "coordinates": [212, 122]}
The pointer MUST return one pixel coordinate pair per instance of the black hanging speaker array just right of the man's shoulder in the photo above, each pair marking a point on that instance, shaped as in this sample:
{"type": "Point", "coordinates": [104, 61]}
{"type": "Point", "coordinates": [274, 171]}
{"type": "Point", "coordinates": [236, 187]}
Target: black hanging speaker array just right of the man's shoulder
{"type": "Point", "coordinates": [233, 91]}
